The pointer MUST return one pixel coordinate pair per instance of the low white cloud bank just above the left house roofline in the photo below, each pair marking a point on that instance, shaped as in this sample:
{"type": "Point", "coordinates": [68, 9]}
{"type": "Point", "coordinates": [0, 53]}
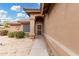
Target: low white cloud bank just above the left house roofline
{"type": "Point", "coordinates": [19, 16]}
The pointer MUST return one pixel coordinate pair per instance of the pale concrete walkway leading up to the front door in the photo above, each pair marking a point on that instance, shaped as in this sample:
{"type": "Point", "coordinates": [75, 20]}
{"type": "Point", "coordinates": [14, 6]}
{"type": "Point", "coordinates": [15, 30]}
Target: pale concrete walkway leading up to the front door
{"type": "Point", "coordinates": [39, 48]}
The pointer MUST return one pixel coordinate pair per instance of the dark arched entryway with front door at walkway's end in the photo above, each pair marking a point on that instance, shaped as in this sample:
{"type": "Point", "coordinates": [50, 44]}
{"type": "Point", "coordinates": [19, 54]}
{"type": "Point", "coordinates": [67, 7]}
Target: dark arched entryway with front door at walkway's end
{"type": "Point", "coordinates": [39, 24]}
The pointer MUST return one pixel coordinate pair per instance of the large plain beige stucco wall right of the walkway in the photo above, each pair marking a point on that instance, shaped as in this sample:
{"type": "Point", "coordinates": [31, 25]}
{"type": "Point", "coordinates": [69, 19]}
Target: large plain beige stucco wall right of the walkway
{"type": "Point", "coordinates": [62, 25]}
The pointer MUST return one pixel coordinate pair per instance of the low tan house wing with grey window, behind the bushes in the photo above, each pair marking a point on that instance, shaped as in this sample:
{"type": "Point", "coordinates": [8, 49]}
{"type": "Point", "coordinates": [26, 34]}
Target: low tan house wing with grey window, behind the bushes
{"type": "Point", "coordinates": [20, 26]}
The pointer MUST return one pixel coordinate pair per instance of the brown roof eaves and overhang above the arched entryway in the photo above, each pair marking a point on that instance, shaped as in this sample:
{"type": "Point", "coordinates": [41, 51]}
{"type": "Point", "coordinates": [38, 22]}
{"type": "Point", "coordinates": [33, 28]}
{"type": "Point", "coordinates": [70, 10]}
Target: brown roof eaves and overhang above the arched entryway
{"type": "Point", "coordinates": [44, 7]}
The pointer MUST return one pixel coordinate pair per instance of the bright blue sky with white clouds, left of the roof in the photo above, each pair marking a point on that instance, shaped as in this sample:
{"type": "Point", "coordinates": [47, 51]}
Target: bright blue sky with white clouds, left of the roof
{"type": "Point", "coordinates": [14, 11]}
